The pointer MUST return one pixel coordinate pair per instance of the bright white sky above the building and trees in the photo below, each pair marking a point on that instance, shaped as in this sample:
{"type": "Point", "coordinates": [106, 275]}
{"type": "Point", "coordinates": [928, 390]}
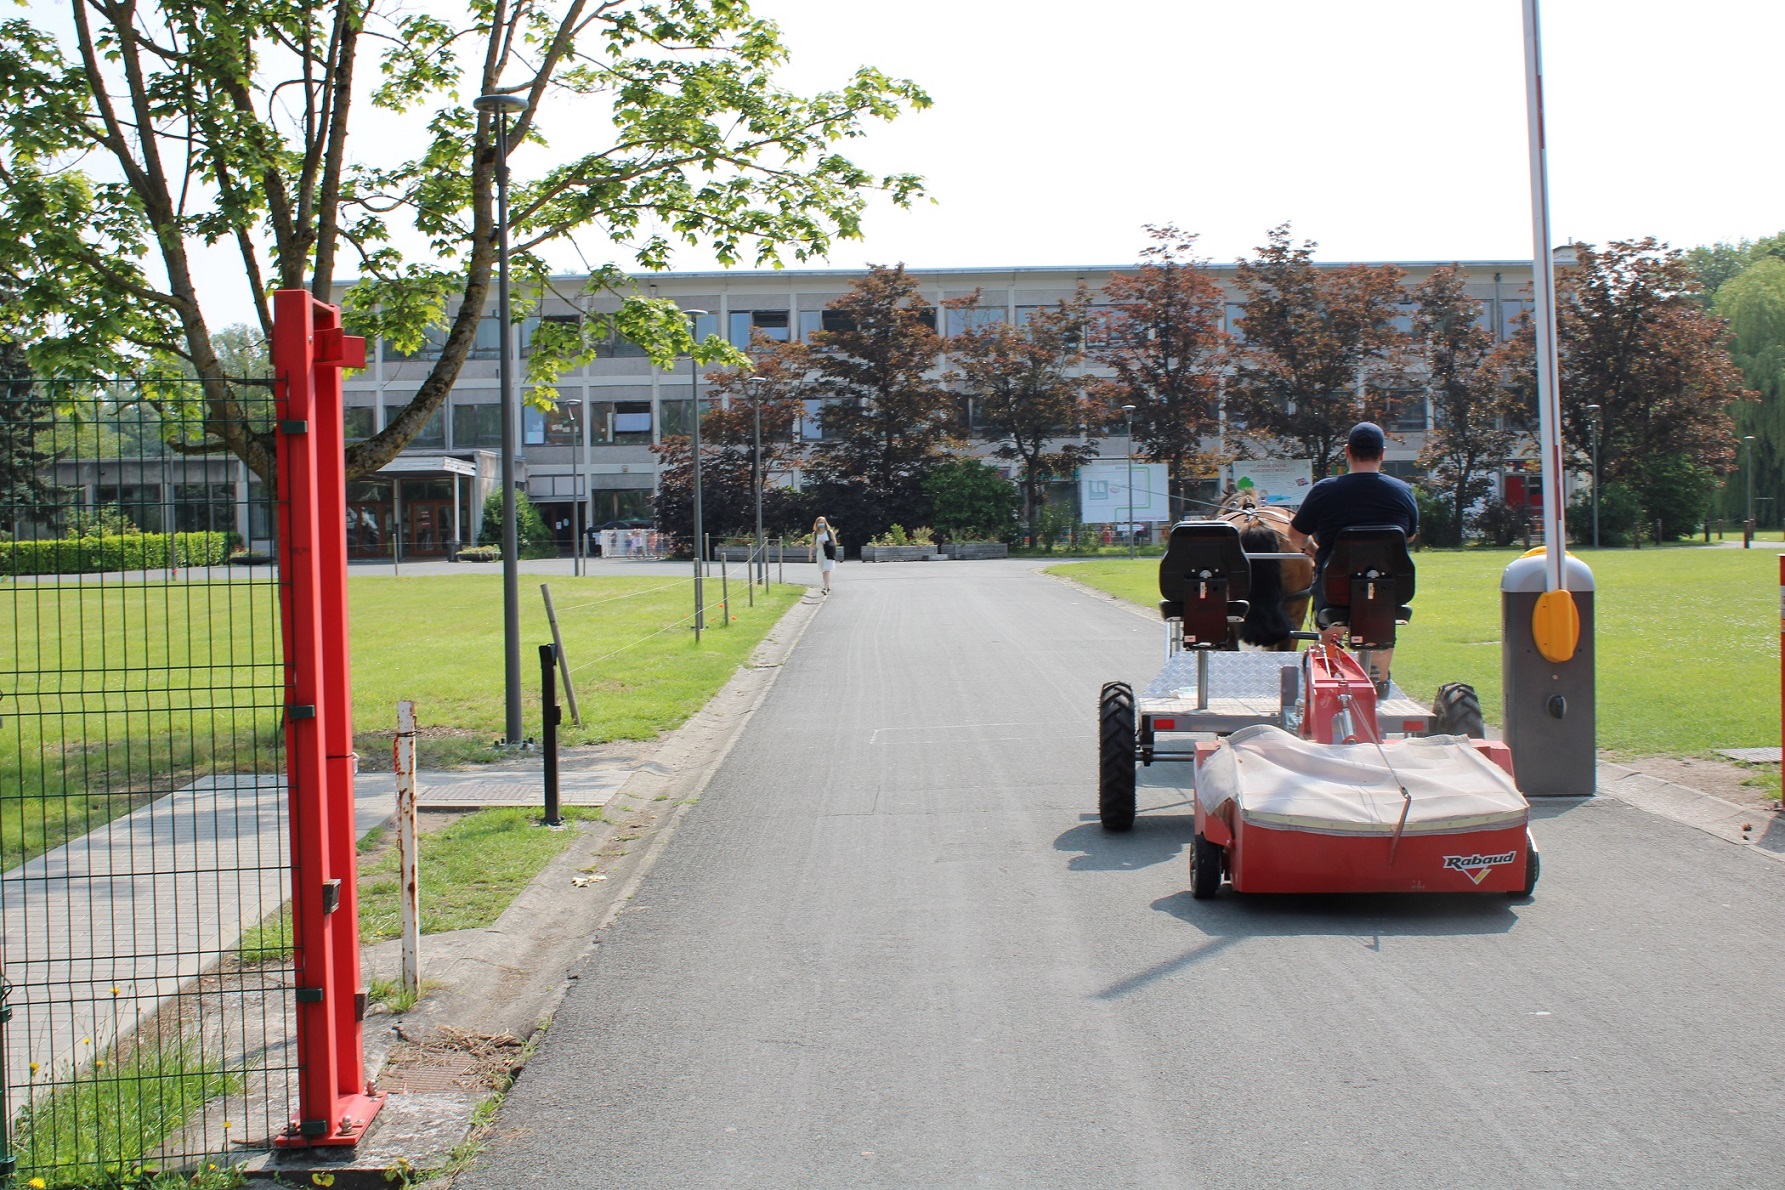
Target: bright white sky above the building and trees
{"type": "Point", "coordinates": [1381, 129]}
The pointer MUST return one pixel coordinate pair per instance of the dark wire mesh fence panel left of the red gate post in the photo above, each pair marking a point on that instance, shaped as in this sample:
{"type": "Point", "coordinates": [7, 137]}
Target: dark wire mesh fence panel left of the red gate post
{"type": "Point", "coordinates": [142, 804]}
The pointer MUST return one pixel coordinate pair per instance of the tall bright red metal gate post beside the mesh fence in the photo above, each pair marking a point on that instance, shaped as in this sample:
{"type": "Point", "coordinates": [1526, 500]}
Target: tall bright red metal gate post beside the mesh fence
{"type": "Point", "coordinates": [310, 352]}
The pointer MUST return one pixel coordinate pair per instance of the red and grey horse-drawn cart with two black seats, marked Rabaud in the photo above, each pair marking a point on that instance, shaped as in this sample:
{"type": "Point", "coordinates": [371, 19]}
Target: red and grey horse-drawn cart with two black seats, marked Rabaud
{"type": "Point", "coordinates": [1308, 777]}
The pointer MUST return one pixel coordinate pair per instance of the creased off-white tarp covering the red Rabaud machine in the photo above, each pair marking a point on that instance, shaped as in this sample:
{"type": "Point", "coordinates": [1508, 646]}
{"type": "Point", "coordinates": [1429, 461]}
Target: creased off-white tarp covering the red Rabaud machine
{"type": "Point", "coordinates": [1283, 781]}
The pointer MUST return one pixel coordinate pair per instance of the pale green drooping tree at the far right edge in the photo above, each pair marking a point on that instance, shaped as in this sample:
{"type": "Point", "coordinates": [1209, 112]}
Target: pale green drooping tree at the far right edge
{"type": "Point", "coordinates": [1754, 304]}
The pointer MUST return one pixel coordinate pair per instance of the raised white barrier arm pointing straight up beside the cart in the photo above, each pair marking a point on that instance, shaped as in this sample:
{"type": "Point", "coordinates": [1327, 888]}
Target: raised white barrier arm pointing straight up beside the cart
{"type": "Point", "coordinates": [1545, 313]}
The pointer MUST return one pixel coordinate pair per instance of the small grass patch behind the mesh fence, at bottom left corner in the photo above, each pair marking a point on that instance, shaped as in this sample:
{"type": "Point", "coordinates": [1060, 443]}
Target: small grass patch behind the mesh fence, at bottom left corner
{"type": "Point", "coordinates": [99, 1127]}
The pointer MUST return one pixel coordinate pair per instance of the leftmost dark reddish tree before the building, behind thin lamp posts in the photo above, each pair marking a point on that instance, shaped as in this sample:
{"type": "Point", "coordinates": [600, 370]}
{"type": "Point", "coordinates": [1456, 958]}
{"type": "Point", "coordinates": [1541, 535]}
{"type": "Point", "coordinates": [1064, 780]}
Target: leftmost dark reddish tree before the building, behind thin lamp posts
{"type": "Point", "coordinates": [727, 450]}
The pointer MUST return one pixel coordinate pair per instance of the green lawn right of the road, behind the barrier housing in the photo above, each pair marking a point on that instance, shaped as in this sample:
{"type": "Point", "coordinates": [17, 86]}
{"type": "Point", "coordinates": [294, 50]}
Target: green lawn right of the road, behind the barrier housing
{"type": "Point", "coordinates": [1688, 649]}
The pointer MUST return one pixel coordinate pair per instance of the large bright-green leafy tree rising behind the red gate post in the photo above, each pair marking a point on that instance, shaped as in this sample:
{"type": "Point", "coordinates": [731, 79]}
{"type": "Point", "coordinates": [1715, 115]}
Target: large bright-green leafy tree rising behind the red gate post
{"type": "Point", "coordinates": [229, 124]}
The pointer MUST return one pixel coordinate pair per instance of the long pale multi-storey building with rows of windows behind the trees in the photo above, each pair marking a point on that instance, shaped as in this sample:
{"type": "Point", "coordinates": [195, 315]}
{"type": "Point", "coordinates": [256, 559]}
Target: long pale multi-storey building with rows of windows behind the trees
{"type": "Point", "coordinates": [597, 452]}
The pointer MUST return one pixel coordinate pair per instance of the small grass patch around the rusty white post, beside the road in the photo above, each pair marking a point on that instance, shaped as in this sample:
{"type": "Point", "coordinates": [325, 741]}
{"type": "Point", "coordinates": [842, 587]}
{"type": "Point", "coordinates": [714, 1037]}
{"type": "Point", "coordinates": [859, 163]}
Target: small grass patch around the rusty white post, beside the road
{"type": "Point", "coordinates": [469, 872]}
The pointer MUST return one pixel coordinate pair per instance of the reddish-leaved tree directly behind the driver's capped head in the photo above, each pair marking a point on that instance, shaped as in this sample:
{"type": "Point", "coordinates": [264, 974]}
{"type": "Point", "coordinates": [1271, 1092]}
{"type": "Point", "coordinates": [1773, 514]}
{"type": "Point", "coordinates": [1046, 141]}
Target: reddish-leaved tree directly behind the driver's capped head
{"type": "Point", "coordinates": [1318, 351]}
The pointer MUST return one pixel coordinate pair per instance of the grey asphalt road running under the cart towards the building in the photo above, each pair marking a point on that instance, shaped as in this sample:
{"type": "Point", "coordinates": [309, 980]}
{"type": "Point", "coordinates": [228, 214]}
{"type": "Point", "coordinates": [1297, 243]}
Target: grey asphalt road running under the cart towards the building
{"type": "Point", "coordinates": [892, 948]}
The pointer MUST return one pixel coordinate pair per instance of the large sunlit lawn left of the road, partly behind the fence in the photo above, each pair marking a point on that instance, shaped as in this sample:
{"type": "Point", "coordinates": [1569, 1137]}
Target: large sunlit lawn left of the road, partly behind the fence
{"type": "Point", "coordinates": [115, 695]}
